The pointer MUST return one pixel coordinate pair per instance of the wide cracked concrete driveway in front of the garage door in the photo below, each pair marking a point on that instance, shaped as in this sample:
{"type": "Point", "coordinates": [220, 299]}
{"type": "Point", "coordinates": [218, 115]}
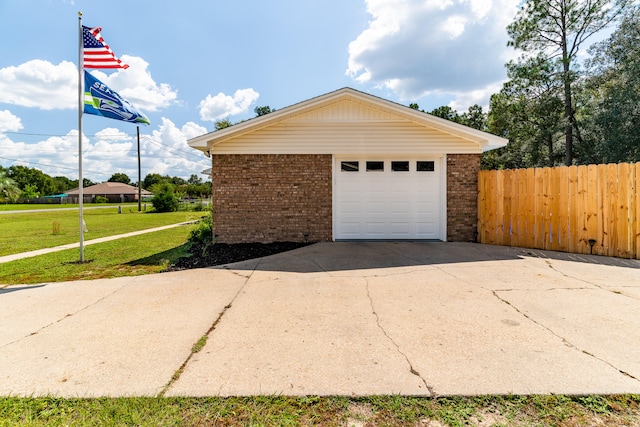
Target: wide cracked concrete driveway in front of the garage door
{"type": "Point", "coordinates": [335, 318]}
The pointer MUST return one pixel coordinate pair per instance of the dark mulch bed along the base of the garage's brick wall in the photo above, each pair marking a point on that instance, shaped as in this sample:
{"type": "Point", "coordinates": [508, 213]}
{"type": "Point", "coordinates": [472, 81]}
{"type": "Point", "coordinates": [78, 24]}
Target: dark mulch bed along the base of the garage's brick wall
{"type": "Point", "coordinates": [222, 253]}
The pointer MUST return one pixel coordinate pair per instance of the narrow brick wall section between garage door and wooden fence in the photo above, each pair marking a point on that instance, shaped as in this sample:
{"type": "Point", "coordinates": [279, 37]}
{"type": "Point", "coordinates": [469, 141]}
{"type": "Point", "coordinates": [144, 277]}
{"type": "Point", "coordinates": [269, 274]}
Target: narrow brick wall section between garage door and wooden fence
{"type": "Point", "coordinates": [462, 197]}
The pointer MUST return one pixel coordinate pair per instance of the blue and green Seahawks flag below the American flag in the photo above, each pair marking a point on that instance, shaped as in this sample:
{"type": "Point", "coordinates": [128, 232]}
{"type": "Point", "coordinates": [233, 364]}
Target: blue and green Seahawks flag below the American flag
{"type": "Point", "coordinates": [102, 101]}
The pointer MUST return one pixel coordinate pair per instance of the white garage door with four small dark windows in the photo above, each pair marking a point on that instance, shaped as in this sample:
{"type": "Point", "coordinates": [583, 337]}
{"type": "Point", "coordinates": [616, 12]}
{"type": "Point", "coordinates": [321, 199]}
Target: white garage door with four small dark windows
{"type": "Point", "coordinates": [389, 199]}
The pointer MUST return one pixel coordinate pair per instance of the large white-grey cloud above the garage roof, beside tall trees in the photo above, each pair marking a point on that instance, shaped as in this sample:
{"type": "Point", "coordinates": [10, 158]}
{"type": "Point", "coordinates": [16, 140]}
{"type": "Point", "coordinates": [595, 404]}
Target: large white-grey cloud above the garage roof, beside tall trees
{"type": "Point", "coordinates": [418, 48]}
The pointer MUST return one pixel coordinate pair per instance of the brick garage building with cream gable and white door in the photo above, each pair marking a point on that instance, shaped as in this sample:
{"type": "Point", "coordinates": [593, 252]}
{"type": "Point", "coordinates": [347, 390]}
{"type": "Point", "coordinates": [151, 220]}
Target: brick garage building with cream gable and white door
{"type": "Point", "coordinates": [345, 166]}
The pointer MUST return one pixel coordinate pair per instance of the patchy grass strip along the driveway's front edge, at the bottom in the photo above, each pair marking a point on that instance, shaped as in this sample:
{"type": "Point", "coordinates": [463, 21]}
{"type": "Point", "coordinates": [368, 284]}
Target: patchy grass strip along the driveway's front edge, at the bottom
{"type": "Point", "coordinates": [546, 410]}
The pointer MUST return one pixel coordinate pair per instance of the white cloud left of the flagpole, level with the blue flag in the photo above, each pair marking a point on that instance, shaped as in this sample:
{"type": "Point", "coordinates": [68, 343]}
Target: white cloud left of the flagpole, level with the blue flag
{"type": "Point", "coordinates": [40, 84]}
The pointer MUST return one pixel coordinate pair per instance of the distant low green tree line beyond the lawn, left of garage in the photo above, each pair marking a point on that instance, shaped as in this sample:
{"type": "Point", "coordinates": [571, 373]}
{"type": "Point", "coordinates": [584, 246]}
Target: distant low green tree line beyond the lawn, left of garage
{"type": "Point", "coordinates": [21, 182]}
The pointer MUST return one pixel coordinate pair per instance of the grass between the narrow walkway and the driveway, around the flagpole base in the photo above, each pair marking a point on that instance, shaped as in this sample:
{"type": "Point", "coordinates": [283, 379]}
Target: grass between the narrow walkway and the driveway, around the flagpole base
{"type": "Point", "coordinates": [131, 256]}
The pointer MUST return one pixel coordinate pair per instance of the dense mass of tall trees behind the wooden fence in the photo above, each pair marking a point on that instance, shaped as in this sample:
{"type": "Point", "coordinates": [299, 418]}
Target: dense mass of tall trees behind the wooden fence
{"type": "Point", "coordinates": [558, 107]}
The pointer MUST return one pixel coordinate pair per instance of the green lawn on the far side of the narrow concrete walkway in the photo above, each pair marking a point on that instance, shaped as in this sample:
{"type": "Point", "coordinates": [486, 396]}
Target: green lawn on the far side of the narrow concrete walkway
{"type": "Point", "coordinates": [23, 232]}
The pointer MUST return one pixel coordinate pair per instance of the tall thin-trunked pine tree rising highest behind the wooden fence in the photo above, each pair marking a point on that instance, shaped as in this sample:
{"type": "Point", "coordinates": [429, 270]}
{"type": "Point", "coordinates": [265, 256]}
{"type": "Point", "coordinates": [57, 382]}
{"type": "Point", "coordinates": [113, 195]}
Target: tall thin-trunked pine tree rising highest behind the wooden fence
{"type": "Point", "coordinates": [554, 30]}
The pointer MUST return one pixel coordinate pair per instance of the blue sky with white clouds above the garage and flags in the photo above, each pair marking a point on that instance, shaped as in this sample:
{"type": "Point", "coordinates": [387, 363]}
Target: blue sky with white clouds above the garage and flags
{"type": "Point", "coordinates": [198, 61]}
